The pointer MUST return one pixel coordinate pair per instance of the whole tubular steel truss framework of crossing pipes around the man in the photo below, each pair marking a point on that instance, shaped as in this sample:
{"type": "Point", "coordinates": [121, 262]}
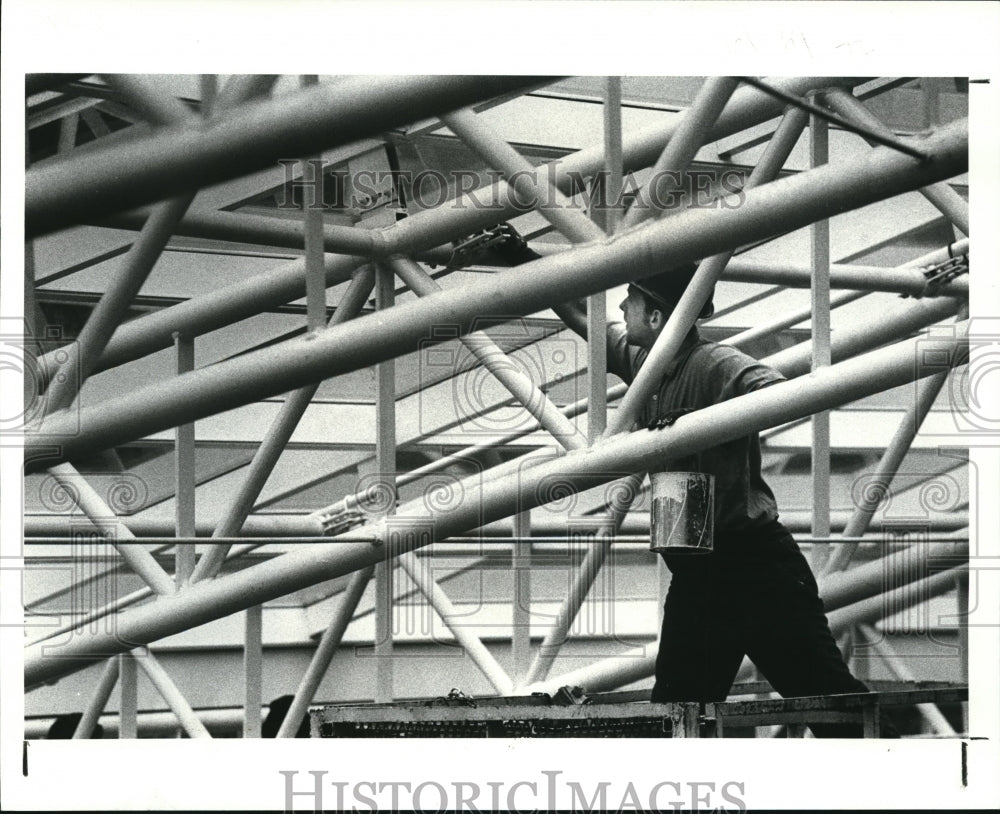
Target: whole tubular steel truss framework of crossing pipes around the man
{"type": "Point", "coordinates": [177, 157]}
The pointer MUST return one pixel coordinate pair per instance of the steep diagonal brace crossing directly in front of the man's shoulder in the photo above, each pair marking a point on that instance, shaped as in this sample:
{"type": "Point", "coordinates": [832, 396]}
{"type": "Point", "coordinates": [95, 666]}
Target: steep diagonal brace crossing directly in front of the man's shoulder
{"type": "Point", "coordinates": [700, 288]}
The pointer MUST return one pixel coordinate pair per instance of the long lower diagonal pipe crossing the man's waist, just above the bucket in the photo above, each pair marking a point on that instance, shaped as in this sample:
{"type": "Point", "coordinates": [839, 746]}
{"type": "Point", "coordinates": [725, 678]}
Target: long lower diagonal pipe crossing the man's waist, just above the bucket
{"type": "Point", "coordinates": [784, 401]}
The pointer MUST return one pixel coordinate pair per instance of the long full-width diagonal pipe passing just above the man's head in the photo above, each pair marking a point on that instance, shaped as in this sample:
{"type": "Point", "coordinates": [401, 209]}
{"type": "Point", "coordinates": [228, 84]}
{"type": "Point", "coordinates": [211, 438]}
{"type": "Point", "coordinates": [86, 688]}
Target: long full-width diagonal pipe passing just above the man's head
{"type": "Point", "coordinates": [792, 202]}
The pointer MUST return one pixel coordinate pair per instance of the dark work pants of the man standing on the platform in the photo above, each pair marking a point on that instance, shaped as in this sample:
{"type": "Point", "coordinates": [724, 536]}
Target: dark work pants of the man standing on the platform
{"type": "Point", "coordinates": [753, 596]}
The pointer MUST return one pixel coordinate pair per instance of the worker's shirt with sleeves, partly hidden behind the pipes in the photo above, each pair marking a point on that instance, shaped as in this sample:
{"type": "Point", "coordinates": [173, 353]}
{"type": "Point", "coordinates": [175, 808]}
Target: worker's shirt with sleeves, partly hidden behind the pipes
{"type": "Point", "coordinates": [705, 373]}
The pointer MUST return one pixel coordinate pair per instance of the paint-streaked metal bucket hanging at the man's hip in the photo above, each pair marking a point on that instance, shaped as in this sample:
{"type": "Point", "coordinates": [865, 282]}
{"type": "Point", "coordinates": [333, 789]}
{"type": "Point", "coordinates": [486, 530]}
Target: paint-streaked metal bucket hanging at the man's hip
{"type": "Point", "coordinates": [683, 512]}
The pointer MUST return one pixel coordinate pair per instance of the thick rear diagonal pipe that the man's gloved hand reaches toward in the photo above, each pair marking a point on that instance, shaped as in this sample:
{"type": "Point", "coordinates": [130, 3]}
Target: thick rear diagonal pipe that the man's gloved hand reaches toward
{"type": "Point", "coordinates": [423, 231]}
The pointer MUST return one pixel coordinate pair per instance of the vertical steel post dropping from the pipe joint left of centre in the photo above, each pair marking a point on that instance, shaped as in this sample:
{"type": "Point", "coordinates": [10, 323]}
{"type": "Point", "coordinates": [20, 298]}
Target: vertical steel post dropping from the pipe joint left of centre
{"type": "Point", "coordinates": [385, 463]}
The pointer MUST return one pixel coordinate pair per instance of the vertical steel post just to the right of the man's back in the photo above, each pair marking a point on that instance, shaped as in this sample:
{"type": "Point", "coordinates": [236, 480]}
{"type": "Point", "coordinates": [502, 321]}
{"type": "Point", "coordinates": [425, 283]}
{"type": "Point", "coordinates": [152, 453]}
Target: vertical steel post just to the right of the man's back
{"type": "Point", "coordinates": [820, 244]}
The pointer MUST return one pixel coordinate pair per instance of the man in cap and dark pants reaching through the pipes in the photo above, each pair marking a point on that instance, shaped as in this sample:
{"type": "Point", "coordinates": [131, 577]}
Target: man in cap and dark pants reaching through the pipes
{"type": "Point", "coordinates": [754, 594]}
